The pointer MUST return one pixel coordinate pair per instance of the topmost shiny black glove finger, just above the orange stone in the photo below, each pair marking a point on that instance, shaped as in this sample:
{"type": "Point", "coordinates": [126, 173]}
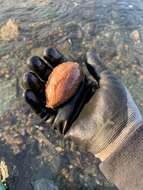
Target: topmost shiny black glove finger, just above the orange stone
{"type": "Point", "coordinates": [54, 57]}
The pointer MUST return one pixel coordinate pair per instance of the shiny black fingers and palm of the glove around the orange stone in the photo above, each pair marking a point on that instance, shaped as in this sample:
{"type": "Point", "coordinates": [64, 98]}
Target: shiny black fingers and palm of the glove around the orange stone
{"type": "Point", "coordinates": [34, 83]}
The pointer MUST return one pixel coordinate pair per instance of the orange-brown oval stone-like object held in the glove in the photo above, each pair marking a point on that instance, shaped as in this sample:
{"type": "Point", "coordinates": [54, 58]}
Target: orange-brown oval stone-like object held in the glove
{"type": "Point", "coordinates": [63, 83]}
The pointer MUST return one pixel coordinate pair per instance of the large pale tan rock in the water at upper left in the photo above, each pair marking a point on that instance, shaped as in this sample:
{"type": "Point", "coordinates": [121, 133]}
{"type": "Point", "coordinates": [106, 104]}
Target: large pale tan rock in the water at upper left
{"type": "Point", "coordinates": [9, 31]}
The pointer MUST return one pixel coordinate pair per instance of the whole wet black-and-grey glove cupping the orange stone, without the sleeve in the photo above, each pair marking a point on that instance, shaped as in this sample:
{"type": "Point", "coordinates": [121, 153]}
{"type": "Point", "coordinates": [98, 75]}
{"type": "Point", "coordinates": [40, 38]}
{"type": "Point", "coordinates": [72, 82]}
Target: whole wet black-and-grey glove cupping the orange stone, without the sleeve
{"type": "Point", "coordinates": [108, 112]}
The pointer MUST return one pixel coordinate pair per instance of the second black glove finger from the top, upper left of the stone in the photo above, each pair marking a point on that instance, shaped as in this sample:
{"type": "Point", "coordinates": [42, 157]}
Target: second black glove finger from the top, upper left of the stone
{"type": "Point", "coordinates": [40, 67]}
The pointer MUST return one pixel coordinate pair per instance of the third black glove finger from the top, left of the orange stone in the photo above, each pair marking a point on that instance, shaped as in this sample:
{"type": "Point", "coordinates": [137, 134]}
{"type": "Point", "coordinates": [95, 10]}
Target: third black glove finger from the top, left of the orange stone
{"type": "Point", "coordinates": [31, 81]}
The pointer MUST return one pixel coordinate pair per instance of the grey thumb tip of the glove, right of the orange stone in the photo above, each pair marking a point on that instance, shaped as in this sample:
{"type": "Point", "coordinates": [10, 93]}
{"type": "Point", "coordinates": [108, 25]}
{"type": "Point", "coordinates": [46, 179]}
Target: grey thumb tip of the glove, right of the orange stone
{"type": "Point", "coordinates": [94, 62]}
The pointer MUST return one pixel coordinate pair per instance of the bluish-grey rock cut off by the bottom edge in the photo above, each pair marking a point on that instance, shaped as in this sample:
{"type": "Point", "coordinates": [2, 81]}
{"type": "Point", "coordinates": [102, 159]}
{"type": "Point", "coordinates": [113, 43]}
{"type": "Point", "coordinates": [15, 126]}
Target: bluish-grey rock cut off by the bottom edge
{"type": "Point", "coordinates": [44, 184]}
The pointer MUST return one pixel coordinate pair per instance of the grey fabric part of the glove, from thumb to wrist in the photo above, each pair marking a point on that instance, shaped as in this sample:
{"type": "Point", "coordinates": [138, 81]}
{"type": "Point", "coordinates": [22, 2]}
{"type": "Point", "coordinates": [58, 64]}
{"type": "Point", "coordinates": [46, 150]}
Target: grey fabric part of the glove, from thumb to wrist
{"type": "Point", "coordinates": [107, 114]}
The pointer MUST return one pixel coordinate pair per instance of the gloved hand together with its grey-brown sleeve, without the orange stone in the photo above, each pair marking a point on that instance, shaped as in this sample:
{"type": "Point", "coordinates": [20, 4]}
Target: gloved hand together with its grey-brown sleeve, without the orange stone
{"type": "Point", "coordinates": [102, 117]}
